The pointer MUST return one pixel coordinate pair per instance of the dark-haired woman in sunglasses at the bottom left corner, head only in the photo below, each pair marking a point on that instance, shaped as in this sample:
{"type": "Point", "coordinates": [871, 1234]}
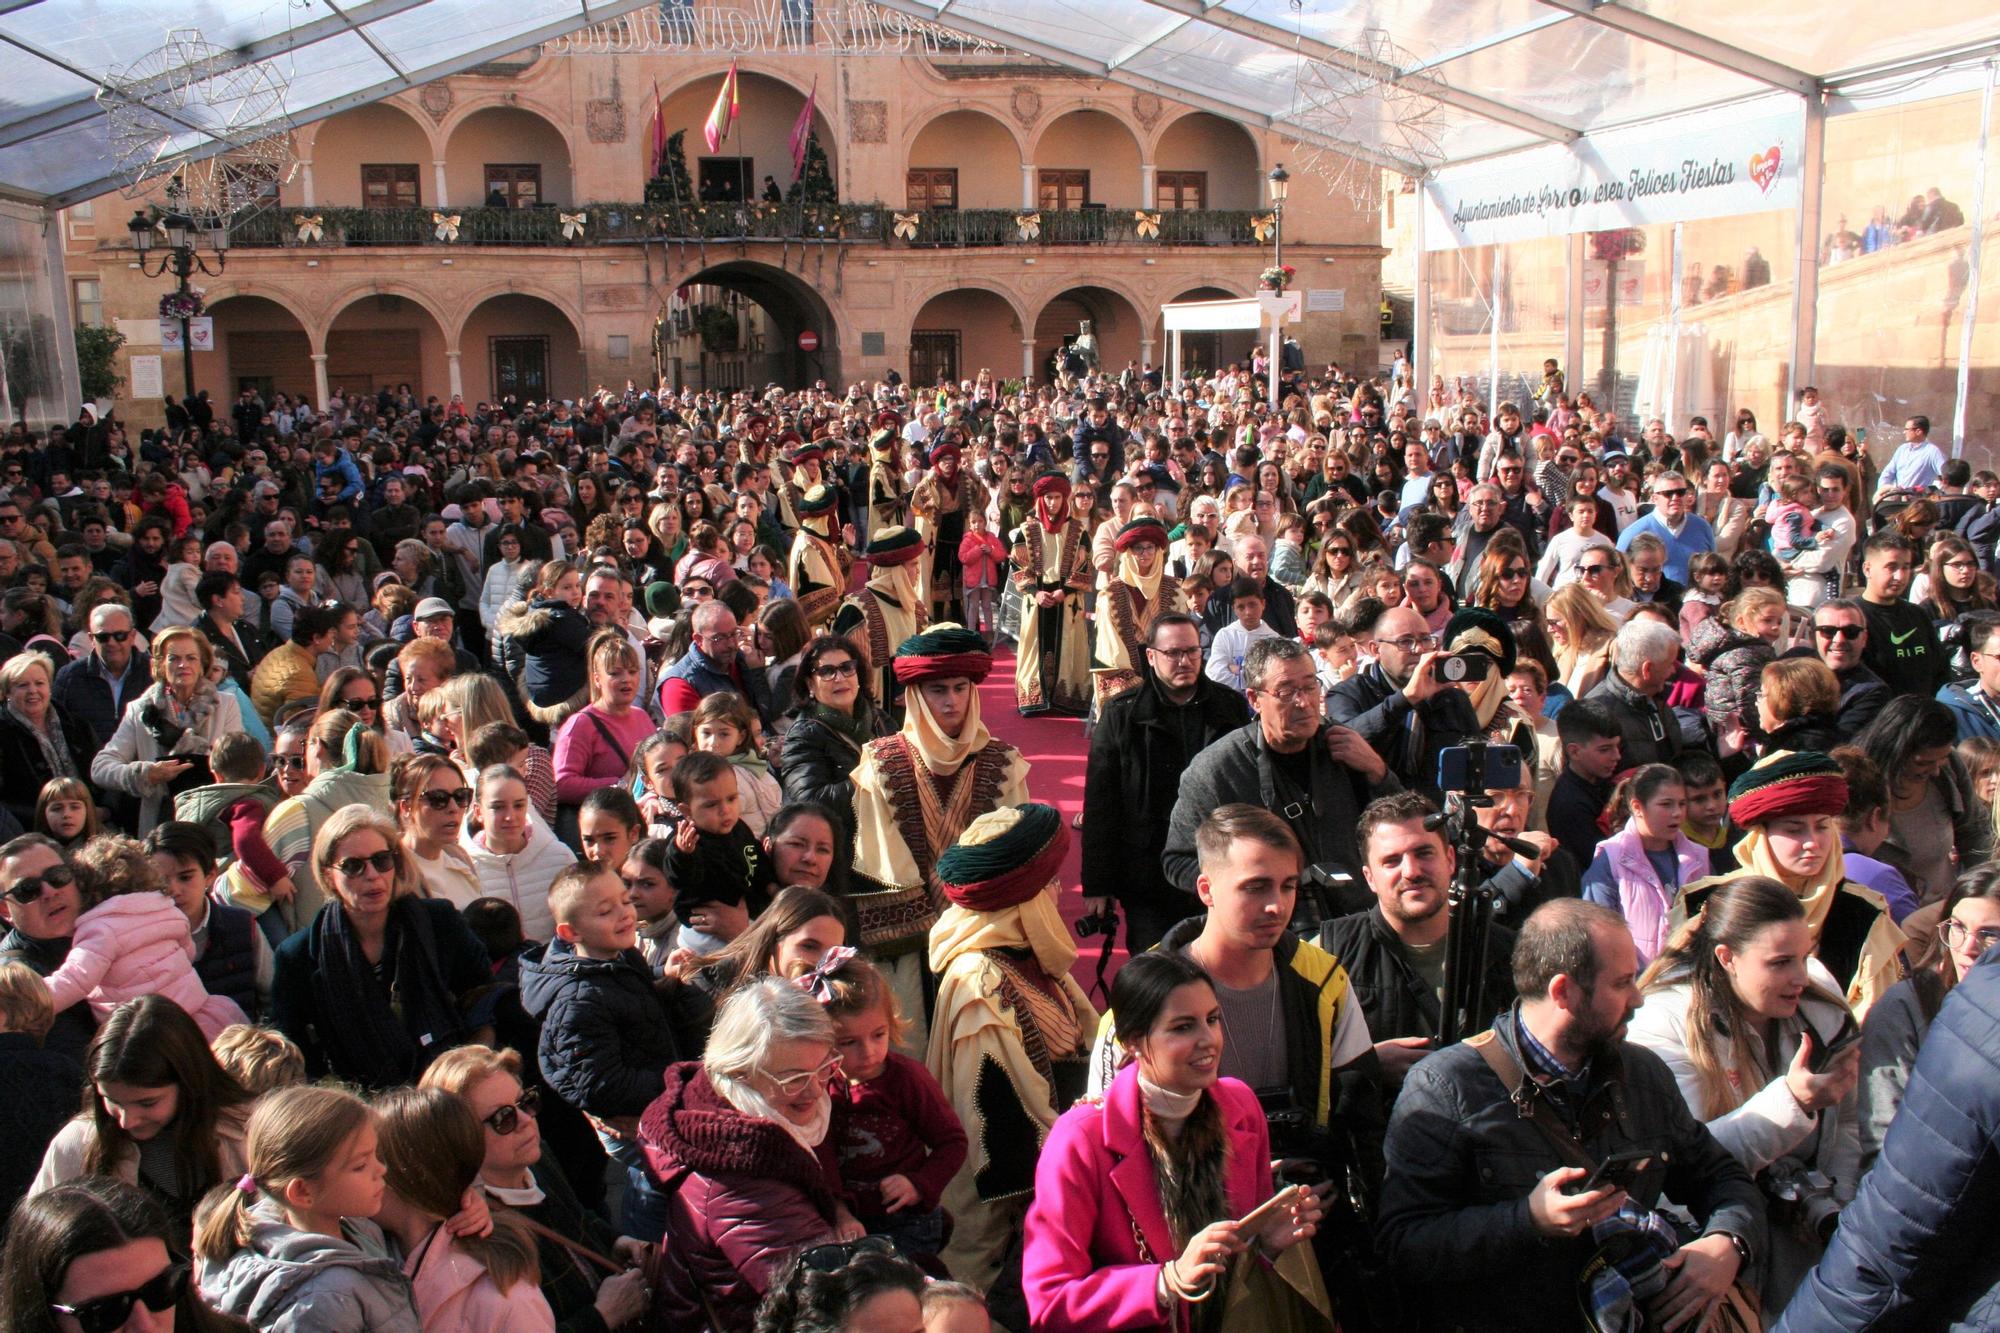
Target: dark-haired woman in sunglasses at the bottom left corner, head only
{"type": "Point", "coordinates": [85, 1258]}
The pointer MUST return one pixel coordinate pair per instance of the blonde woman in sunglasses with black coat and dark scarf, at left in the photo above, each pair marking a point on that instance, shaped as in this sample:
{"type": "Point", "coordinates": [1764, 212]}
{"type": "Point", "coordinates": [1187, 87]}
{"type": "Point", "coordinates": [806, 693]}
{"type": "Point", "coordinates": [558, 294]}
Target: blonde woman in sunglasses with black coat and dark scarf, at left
{"type": "Point", "coordinates": [377, 986]}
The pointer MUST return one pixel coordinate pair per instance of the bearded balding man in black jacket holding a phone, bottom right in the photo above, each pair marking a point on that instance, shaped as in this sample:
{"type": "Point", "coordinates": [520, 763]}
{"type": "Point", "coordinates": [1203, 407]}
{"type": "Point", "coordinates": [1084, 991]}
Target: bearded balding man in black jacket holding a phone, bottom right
{"type": "Point", "coordinates": [1491, 1138]}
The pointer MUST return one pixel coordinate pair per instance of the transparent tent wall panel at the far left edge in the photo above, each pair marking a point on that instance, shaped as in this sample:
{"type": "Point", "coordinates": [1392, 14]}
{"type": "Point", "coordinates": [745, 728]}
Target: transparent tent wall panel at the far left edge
{"type": "Point", "coordinates": [37, 347]}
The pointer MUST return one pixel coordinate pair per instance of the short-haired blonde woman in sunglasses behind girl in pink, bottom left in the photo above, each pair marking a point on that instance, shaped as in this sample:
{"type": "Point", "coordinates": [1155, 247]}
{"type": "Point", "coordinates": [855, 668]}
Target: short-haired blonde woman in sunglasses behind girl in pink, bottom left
{"type": "Point", "coordinates": [519, 1178]}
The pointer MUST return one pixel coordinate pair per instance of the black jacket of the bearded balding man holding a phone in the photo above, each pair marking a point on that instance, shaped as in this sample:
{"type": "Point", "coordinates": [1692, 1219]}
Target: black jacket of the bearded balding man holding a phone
{"type": "Point", "coordinates": [1463, 1162]}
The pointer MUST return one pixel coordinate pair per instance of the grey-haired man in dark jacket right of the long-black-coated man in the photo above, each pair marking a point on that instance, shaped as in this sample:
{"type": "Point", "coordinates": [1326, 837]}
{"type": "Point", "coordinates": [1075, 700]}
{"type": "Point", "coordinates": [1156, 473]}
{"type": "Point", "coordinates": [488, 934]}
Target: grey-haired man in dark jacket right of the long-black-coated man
{"type": "Point", "coordinates": [1315, 776]}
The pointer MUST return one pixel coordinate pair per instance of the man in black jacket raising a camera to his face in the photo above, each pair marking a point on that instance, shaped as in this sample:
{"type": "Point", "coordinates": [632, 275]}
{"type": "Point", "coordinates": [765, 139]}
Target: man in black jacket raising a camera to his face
{"type": "Point", "coordinates": [1403, 704]}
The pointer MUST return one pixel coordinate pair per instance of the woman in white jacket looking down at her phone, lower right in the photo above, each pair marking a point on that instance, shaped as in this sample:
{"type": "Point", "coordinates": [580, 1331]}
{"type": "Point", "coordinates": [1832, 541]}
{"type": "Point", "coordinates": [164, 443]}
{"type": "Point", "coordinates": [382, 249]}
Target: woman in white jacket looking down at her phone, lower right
{"type": "Point", "coordinates": [1767, 1054]}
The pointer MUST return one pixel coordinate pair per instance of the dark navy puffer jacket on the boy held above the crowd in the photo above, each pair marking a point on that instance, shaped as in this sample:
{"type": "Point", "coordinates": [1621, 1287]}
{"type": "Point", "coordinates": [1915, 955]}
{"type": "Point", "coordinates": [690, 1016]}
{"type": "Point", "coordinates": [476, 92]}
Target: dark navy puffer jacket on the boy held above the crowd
{"type": "Point", "coordinates": [605, 1034]}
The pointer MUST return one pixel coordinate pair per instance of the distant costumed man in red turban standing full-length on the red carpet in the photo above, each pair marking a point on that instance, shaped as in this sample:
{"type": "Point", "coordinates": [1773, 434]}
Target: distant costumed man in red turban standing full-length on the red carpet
{"type": "Point", "coordinates": [1053, 670]}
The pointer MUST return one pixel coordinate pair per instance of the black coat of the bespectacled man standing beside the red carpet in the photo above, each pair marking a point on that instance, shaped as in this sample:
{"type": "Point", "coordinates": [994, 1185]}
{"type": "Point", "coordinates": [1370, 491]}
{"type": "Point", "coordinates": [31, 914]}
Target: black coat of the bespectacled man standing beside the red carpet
{"type": "Point", "coordinates": [1139, 754]}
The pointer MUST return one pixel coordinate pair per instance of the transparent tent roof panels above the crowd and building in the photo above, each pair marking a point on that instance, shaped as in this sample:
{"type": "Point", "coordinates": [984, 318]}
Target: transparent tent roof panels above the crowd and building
{"type": "Point", "coordinates": [1487, 75]}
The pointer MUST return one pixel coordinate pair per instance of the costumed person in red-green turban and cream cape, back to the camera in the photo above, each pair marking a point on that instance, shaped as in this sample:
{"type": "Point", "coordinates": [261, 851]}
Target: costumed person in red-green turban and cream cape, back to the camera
{"type": "Point", "coordinates": [1011, 1042]}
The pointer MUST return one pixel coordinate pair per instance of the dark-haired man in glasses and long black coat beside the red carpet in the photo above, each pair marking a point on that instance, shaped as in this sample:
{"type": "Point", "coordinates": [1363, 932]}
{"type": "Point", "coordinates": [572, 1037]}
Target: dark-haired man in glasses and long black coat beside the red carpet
{"type": "Point", "coordinates": [1143, 744]}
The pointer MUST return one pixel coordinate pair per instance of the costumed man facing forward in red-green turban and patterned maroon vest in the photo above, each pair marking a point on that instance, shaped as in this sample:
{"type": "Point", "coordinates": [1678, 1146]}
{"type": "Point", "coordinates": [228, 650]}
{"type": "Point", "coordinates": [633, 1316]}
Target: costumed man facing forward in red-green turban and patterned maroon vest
{"type": "Point", "coordinates": [915, 794]}
